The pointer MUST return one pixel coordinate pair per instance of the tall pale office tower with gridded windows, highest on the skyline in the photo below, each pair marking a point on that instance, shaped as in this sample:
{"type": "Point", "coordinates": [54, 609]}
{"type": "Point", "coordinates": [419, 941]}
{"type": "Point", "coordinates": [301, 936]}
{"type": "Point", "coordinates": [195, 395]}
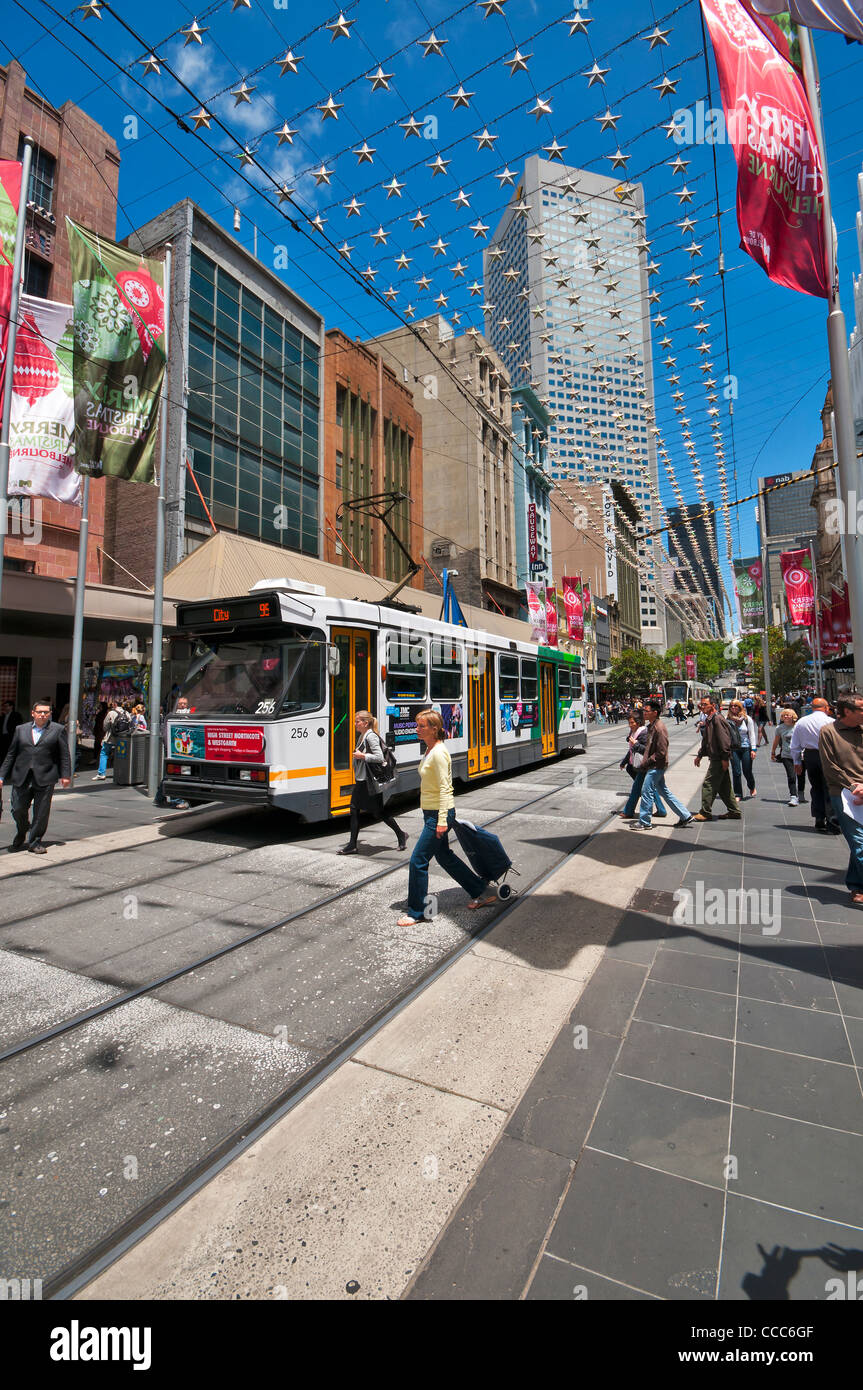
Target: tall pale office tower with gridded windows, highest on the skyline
{"type": "Point", "coordinates": [568, 309]}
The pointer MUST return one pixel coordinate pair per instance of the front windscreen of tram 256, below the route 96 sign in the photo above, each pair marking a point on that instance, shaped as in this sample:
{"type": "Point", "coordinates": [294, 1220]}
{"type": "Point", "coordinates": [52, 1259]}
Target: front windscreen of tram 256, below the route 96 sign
{"type": "Point", "coordinates": [255, 679]}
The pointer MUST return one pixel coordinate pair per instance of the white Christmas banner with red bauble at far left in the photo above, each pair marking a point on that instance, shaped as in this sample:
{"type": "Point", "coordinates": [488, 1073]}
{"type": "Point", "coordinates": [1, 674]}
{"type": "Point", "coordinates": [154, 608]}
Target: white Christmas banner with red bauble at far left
{"type": "Point", "coordinates": [42, 425]}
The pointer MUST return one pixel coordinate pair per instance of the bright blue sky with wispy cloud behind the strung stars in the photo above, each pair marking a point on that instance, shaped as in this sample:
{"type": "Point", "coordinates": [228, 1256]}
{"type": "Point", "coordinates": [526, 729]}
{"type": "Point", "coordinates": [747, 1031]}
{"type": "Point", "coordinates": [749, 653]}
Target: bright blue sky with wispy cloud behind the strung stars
{"type": "Point", "coordinates": [778, 338]}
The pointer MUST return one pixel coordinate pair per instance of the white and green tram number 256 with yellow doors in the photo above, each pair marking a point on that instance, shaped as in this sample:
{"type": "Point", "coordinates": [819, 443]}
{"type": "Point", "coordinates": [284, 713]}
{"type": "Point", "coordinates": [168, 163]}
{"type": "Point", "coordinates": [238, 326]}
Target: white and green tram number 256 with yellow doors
{"type": "Point", "coordinates": [279, 675]}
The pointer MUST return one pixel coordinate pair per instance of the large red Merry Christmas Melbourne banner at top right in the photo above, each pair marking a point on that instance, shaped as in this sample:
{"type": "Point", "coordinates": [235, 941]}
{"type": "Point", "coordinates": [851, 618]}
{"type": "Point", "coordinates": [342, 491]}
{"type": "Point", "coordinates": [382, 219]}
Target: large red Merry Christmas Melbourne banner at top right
{"type": "Point", "coordinates": [771, 127]}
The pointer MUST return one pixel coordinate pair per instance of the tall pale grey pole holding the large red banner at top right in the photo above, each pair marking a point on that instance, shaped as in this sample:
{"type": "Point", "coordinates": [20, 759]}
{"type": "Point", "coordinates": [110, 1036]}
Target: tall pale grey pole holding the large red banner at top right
{"type": "Point", "coordinates": [840, 372]}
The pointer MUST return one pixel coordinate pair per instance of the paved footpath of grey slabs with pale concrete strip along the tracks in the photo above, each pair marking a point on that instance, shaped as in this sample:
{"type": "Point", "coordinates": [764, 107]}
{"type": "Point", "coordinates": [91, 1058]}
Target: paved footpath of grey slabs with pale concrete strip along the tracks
{"type": "Point", "coordinates": [595, 1102]}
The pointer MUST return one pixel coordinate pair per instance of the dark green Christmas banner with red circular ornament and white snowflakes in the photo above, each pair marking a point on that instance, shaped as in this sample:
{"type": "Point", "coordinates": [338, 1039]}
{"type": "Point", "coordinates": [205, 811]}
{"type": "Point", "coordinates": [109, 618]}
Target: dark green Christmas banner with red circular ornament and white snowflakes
{"type": "Point", "coordinates": [120, 357]}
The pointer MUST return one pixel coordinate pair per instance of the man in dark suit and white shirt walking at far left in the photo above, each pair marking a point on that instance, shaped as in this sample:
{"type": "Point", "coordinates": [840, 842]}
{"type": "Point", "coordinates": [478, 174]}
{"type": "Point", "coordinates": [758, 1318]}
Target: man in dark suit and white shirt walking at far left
{"type": "Point", "coordinates": [38, 755]}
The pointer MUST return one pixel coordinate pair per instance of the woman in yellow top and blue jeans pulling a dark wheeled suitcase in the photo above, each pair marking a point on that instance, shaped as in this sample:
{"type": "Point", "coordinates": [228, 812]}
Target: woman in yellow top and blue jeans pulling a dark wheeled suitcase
{"type": "Point", "coordinates": [438, 808]}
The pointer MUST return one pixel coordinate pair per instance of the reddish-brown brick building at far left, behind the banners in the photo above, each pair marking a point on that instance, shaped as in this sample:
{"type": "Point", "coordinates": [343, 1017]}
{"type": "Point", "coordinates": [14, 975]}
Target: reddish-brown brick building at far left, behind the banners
{"type": "Point", "coordinates": [74, 174]}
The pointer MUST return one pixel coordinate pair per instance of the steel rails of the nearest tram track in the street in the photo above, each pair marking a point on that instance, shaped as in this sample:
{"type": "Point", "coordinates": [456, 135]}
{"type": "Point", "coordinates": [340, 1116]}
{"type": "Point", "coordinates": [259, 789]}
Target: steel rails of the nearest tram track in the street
{"type": "Point", "coordinates": [101, 1253]}
